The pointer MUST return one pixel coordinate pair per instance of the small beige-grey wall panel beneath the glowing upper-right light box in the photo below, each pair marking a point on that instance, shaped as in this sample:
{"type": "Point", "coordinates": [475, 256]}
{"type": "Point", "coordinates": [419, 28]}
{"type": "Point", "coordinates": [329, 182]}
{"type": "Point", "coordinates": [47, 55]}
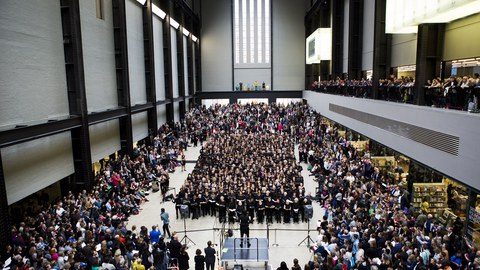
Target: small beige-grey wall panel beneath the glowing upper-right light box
{"type": "Point", "coordinates": [404, 50]}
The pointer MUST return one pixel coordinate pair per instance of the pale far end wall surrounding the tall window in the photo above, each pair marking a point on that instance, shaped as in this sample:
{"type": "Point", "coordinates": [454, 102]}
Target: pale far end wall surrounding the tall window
{"type": "Point", "coordinates": [287, 51]}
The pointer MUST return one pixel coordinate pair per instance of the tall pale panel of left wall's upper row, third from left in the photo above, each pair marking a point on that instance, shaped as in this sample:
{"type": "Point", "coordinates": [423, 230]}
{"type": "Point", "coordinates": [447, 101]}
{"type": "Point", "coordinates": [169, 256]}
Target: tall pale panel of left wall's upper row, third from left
{"type": "Point", "coordinates": [136, 60]}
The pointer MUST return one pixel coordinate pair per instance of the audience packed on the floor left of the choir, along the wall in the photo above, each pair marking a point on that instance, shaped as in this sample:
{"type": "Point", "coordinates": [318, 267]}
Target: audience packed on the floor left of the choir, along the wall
{"type": "Point", "coordinates": [88, 230]}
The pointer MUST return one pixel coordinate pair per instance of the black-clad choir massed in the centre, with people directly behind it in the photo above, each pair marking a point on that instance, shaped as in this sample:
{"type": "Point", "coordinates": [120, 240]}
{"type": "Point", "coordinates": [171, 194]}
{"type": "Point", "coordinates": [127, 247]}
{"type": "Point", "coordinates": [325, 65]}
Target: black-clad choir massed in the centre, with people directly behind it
{"type": "Point", "coordinates": [249, 164]}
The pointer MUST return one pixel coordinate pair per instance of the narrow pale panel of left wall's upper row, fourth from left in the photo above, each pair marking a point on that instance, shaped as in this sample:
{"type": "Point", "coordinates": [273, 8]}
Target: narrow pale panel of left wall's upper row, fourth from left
{"type": "Point", "coordinates": [159, 58]}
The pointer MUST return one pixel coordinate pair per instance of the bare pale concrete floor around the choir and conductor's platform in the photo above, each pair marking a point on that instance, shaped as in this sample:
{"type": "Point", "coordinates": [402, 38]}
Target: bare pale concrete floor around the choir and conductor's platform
{"type": "Point", "coordinates": [284, 239]}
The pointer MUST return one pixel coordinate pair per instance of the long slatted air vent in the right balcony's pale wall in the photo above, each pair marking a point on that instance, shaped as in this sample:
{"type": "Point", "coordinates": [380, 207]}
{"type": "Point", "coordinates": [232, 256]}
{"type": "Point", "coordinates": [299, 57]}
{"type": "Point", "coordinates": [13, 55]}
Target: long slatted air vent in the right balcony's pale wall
{"type": "Point", "coordinates": [438, 140]}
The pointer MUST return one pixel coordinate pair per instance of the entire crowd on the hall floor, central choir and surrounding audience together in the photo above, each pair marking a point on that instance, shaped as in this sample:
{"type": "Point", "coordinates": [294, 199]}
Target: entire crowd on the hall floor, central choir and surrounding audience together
{"type": "Point", "coordinates": [249, 167]}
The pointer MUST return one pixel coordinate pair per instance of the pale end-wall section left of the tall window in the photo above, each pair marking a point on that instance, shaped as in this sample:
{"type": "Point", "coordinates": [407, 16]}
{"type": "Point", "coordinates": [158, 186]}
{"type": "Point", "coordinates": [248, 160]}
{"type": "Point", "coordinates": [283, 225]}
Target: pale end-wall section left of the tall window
{"type": "Point", "coordinates": [216, 50]}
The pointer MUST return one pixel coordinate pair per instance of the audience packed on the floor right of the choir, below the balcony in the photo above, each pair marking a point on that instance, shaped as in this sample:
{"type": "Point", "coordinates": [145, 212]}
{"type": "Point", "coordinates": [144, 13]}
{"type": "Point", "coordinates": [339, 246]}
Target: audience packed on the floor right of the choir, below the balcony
{"type": "Point", "coordinates": [369, 222]}
